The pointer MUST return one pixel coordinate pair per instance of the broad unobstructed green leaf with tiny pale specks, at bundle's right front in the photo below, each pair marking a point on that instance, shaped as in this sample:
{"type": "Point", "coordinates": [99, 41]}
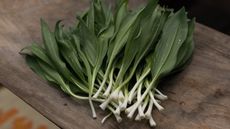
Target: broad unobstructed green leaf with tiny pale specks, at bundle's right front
{"type": "Point", "coordinates": [174, 34]}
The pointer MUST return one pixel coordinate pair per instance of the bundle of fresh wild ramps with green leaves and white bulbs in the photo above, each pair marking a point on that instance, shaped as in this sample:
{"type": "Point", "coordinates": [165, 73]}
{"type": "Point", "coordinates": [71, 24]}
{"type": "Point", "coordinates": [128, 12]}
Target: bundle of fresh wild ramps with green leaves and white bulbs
{"type": "Point", "coordinates": [116, 59]}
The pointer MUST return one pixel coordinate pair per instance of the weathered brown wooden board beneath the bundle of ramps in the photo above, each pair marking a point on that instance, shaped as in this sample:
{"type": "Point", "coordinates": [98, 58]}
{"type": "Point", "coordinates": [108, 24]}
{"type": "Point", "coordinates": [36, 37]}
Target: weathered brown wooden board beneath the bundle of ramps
{"type": "Point", "coordinates": [199, 96]}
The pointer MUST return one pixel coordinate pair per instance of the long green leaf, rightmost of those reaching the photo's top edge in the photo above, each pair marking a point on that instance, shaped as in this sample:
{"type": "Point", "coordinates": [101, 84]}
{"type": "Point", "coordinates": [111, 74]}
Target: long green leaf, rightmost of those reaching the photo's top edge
{"type": "Point", "coordinates": [135, 40]}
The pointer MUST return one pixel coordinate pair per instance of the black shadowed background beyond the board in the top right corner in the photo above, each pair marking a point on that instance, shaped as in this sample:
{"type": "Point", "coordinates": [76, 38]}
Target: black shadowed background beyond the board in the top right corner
{"type": "Point", "coordinates": [213, 13]}
